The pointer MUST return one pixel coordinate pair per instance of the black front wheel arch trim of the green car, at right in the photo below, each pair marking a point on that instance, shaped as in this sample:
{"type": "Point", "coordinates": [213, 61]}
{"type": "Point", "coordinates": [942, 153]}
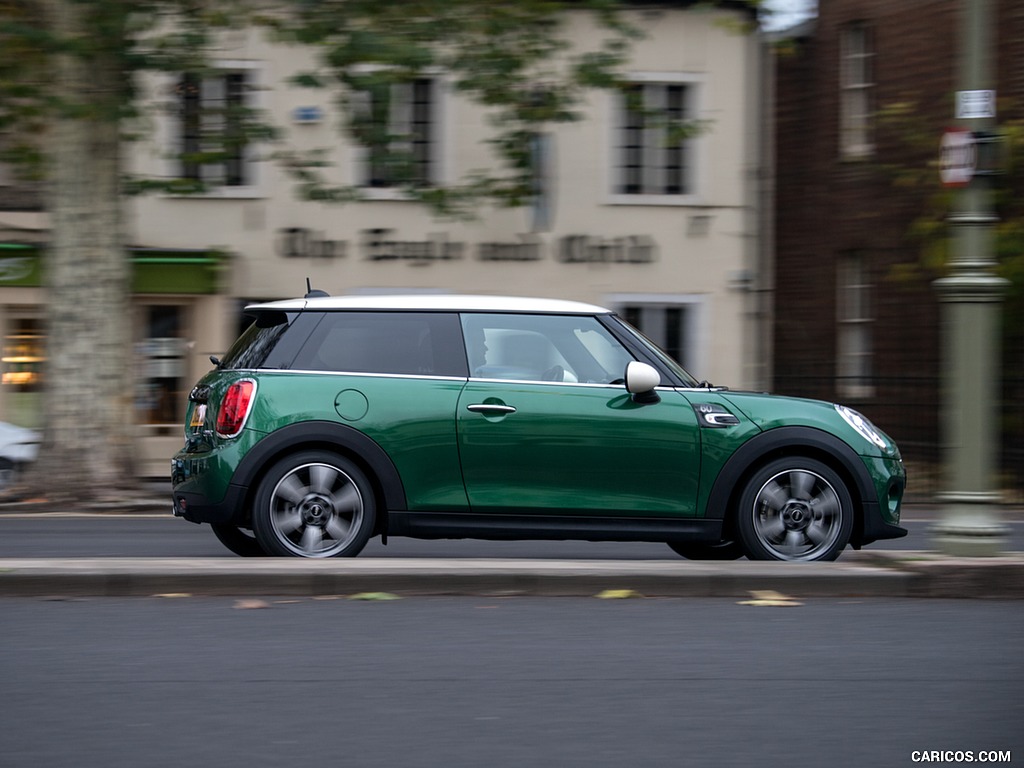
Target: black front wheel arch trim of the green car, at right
{"type": "Point", "coordinates": [804, 442]}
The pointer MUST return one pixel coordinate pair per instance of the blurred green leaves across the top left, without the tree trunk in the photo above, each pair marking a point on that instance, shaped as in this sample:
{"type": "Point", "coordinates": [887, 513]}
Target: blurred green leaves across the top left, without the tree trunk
{"type": "Point", "coordinates": [511, 58]}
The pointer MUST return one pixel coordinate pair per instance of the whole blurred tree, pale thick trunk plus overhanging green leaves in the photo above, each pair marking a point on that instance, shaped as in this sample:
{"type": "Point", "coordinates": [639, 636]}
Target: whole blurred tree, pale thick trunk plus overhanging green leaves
{"type": "Point", "coordinates": [72, 74]}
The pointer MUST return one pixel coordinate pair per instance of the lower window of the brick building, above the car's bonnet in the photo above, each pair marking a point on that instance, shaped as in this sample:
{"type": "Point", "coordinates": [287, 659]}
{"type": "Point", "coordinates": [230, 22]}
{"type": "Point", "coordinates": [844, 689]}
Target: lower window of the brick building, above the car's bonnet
{"type": "Point", "coordinates": [855, 323]}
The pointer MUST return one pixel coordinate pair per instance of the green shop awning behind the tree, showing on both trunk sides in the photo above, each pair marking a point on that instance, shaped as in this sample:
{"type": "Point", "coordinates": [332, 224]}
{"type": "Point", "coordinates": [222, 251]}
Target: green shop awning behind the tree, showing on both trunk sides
{"type": "Point", "coordinates": [155, 271]}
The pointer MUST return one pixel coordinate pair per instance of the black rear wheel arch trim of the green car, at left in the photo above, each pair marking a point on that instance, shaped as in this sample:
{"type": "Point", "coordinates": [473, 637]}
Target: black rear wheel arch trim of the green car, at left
{"type": "Point", "coordinates": [325, 436]}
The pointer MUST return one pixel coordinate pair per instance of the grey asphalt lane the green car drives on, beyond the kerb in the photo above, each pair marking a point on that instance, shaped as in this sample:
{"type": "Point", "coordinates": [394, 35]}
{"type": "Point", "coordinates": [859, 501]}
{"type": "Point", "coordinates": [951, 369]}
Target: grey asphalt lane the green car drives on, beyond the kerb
{"type": "Point", "coordinates": [164, 536]}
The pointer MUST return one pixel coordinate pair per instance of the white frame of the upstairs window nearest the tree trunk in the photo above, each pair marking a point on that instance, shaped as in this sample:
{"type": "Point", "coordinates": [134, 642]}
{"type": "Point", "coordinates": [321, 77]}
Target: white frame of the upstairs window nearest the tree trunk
{"type": "Point", "coordinates": [174, 133]}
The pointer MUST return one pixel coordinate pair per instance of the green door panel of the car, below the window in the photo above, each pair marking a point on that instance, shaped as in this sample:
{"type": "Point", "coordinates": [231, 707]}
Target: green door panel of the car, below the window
{"type": "Point", "coordinates": [579, 450]}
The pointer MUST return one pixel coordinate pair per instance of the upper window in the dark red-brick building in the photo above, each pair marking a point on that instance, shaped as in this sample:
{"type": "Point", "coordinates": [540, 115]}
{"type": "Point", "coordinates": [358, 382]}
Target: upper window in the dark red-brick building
{"type": "Point", "coordinates": [857, 75]}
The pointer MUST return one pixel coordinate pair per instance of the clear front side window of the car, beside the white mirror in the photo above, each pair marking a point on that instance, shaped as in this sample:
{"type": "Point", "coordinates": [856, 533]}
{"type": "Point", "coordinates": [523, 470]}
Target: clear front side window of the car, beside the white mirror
{"type": "Point", "coordinates": [543, 348]}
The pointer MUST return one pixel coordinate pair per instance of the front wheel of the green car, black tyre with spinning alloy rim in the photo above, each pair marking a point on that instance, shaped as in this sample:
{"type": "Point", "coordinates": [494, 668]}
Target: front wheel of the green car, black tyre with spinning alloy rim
{"type": "Point", "coordinates": [795, 509]}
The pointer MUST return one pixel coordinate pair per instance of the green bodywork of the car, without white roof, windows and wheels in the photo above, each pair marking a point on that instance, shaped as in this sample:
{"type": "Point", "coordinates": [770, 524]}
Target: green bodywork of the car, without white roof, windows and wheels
{"type": "Point", "coordinates": [461, 448]}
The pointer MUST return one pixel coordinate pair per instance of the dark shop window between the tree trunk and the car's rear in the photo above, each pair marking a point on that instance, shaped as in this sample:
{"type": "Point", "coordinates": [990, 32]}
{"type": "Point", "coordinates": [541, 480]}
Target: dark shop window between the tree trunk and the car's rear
{"type": "Point", "coordinates": [162, 386]}
